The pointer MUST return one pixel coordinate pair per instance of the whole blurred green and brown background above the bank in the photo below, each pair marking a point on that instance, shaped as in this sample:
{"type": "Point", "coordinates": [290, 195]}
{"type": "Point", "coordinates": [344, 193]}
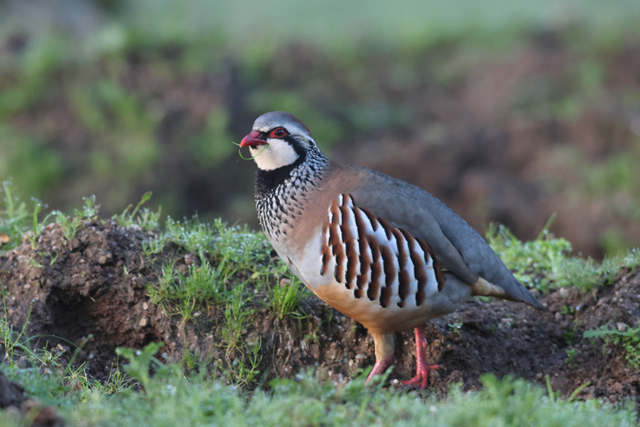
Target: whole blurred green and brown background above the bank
{"type": "Point", "coordinates": [507, 110]}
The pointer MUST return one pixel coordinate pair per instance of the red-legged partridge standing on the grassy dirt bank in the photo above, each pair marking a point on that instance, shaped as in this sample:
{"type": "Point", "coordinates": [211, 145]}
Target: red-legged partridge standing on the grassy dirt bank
{"type": "Point", "coordinates": [379, 250]}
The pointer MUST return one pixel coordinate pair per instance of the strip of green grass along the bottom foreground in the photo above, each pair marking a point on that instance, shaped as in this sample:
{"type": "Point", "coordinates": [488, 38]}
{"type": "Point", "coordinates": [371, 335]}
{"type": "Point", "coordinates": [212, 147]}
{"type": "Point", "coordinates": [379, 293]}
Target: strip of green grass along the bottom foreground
{"type": "Point", "coordinates": [170, 397]}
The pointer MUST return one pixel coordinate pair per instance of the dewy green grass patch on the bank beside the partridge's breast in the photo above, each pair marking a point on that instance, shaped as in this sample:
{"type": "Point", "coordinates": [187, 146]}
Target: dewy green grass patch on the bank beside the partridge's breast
{"type": "Point", "coordinates": [226, 259]}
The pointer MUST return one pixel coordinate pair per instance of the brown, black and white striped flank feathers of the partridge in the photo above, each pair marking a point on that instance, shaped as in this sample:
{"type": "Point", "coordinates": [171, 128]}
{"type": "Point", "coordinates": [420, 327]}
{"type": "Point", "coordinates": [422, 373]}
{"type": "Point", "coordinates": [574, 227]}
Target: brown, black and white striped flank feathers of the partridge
{"type": "Point", "coordinates": [376, 260]}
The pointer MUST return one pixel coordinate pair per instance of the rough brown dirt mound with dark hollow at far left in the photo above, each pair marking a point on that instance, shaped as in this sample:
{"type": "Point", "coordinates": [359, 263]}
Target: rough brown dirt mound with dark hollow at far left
{"type": "Point", "coordinates": [92, 285]}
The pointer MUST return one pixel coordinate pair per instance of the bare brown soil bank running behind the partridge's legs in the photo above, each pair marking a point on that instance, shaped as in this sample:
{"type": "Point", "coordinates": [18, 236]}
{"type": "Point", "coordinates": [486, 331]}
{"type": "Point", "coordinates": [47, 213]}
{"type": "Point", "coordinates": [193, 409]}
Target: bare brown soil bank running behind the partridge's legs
{"type": "Point", "coordinates": [91, 292]}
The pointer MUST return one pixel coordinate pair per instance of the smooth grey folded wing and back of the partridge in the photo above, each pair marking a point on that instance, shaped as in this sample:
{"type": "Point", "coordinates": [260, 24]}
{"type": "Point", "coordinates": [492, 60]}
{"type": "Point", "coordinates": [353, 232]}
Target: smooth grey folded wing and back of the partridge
{"type": "Point", "coordinates": [456, 244]}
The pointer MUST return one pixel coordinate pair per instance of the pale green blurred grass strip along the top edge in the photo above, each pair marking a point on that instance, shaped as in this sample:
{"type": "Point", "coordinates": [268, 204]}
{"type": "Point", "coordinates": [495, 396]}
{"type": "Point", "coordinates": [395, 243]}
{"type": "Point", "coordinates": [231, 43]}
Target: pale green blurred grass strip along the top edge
{"type": "Point", "coordinates": [338, 24]}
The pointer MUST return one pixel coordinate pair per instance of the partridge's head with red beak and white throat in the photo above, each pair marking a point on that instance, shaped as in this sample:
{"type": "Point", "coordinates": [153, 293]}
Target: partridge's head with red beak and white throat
{"type": "Point", "coordinates": [278, 139]}
